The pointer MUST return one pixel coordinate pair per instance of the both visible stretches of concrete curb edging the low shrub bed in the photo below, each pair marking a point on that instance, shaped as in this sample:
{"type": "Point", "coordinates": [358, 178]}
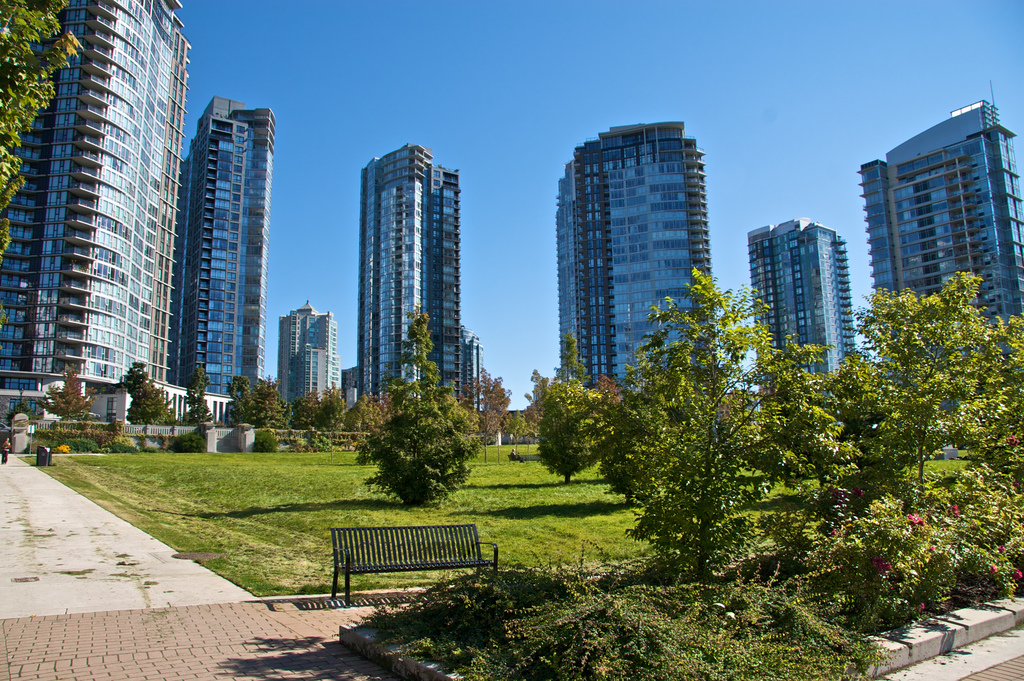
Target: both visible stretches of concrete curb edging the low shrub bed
{"type": "Point", "coordinates": [906, 647]}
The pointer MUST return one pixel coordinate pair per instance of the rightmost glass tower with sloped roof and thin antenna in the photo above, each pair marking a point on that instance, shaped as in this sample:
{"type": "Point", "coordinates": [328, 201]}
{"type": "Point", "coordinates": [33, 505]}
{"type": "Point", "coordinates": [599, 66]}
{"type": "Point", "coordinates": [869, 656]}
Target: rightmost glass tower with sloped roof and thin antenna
{"type": "Point", "coordinates": [949, 200]}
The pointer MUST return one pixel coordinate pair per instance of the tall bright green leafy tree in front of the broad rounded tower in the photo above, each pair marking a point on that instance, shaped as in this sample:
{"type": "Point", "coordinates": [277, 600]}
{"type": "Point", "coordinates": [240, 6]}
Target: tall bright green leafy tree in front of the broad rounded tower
{"type": "Point", "coordinates": [700, 413]}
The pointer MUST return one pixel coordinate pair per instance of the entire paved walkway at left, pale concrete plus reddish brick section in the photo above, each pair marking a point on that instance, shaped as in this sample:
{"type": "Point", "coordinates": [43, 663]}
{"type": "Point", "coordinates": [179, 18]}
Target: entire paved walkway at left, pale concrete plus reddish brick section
{"type": "Point", "coordinates": [86, 595]}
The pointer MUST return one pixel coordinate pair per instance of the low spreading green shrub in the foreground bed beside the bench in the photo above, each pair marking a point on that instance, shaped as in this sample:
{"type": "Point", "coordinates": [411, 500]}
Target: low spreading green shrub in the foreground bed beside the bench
{"type": "Point", "coordinates": [575, 625]}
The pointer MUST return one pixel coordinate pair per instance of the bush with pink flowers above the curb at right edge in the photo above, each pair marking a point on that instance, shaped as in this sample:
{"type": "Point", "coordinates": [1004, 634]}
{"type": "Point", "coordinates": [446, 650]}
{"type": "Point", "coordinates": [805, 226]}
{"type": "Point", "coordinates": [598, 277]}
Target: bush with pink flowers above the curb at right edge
{"type": "Point", "coordinates": [887, 565]}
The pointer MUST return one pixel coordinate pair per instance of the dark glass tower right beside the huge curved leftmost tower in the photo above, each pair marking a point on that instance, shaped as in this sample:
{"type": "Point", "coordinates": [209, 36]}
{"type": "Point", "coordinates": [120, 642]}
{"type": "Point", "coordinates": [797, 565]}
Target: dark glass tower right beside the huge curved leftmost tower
{"type": "Point", "coordinates": [223, 246]}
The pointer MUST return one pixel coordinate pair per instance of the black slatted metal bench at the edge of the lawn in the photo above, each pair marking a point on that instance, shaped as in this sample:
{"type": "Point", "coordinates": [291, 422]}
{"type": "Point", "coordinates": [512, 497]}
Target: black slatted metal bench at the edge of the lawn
{"type": "Point", "coordinates": [365, 550]}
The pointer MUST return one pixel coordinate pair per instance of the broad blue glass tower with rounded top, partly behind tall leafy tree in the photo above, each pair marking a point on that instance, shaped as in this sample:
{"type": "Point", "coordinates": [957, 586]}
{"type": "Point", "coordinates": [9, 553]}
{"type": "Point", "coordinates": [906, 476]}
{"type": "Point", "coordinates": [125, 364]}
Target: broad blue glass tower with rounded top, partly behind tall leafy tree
{"type": "Point", "coordinates": [631, 227]}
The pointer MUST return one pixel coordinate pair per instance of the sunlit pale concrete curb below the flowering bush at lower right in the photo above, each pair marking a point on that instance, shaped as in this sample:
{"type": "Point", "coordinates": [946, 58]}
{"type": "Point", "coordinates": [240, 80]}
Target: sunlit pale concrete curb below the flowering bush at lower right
{"type": "Point", "coordinates": [924, 641]}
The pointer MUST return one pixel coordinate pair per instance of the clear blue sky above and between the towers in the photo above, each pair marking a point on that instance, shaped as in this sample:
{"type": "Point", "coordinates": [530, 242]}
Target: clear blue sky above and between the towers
{"type": "Point", "coordinates": [788, 100]}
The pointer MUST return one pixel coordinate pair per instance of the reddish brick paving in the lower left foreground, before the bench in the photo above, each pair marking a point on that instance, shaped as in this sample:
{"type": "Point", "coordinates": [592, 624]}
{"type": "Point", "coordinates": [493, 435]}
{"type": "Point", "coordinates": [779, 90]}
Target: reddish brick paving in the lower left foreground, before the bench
{"type": "Point", "coordinates": [294, 640]}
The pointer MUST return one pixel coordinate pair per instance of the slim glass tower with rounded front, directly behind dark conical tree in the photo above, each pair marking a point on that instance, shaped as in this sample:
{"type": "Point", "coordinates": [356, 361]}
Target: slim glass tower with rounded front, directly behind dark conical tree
{"type": "Point", "coordinates": [409, 261]}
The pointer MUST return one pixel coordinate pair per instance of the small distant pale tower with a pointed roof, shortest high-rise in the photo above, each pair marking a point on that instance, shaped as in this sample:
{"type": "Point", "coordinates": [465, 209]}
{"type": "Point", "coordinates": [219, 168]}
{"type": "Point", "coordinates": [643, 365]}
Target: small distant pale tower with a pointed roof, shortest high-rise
{"type": "Point", "coordinates": [308, 353]}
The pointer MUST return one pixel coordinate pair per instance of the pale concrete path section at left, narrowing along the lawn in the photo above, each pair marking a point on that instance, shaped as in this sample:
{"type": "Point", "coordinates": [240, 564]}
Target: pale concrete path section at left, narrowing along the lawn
{"type": "Point", "coordinates": [63, 554]}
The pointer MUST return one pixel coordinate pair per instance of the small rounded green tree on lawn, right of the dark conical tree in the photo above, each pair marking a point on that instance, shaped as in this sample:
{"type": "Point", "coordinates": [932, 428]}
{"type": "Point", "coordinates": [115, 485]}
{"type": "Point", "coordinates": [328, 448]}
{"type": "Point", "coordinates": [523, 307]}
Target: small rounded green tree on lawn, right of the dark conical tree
{"type": "Point", "coordinates": [568, 446]}
